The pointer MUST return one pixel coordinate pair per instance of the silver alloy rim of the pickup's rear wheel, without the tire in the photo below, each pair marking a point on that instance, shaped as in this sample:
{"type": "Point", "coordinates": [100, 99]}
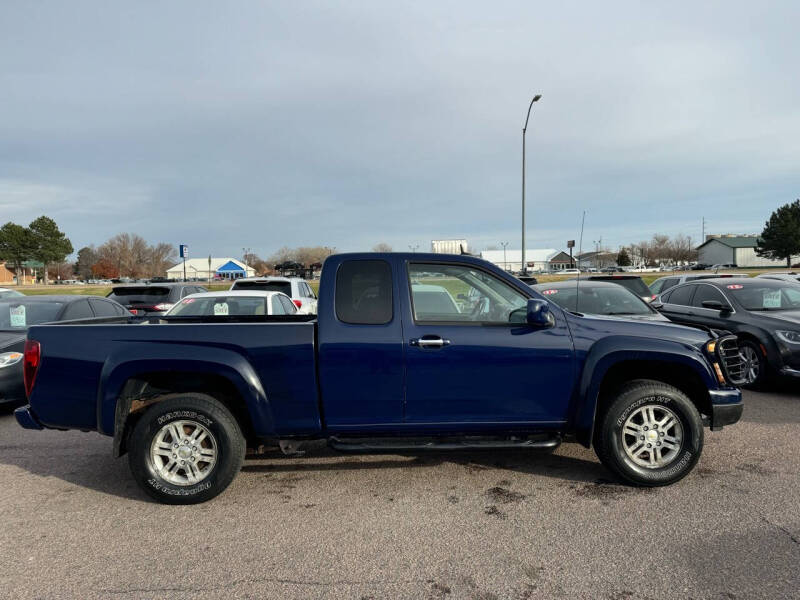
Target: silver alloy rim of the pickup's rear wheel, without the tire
{"type": "Point", "coordinates": [183, 452]}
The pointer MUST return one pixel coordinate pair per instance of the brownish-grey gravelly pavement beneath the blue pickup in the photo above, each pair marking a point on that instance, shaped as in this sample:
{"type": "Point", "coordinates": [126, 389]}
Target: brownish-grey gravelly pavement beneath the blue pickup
{"type": "Point", "coordinates": [469, 525]}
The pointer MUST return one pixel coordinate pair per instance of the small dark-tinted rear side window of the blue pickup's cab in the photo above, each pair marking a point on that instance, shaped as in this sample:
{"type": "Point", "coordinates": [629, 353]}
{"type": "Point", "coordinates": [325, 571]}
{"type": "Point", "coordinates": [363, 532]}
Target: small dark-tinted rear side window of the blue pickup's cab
{"type": "Point", "coordinates": [364, 292]}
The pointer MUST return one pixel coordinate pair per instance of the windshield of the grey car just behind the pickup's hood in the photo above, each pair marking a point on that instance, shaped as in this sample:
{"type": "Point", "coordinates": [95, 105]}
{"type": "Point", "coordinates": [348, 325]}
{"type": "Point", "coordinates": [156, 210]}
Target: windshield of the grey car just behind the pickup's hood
{"type": "Point", "coordinates": [598, 300]}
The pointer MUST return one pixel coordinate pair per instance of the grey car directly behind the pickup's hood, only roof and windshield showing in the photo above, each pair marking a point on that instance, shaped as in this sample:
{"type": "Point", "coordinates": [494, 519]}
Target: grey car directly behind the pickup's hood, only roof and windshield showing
{"type": "Point", "coordinates": [599, 298]}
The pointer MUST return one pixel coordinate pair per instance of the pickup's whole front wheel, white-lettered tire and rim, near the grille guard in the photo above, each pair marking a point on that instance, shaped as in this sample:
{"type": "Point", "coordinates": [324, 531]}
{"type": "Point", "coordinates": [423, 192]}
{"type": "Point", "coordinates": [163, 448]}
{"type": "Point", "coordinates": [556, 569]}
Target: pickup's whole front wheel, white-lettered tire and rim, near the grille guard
{"type": "Point", "coordinates": [628, 455]}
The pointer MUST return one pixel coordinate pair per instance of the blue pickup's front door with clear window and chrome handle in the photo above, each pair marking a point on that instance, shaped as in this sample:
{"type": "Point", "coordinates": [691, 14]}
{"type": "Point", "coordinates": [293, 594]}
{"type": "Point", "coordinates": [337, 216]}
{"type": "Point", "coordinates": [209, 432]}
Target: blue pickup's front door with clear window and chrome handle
{"type": "Point", "coordinates": [466, 363]}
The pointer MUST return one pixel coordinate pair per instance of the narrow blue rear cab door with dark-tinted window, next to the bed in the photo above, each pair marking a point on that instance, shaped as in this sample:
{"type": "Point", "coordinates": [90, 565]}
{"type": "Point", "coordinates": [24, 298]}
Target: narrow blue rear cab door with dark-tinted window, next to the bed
{"type": "Point", "coordinates": [361, 347]}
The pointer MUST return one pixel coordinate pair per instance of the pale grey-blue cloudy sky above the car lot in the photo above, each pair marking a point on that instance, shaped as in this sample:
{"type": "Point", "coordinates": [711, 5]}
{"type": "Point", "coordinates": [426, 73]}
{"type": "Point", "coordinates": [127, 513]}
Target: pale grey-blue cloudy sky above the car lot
{"type": "Point", "coordinates": [264, 124]}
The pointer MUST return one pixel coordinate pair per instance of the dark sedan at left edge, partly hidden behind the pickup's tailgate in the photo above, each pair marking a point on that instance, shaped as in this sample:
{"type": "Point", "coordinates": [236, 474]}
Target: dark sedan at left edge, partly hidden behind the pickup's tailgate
{"type": "Point", "coordinates": [18, 314]}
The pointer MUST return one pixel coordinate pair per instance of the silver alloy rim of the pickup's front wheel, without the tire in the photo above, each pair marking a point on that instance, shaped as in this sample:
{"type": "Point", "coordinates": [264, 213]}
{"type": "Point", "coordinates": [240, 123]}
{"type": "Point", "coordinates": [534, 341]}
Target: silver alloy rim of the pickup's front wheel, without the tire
{"type": "Point", "coordinates": [652, 436]}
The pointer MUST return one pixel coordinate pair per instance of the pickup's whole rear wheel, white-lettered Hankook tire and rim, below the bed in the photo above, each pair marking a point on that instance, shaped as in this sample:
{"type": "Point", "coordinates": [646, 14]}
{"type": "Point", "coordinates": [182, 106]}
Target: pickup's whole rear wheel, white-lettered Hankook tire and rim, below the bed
{"type": "Point", "coordinates": [174, 472]}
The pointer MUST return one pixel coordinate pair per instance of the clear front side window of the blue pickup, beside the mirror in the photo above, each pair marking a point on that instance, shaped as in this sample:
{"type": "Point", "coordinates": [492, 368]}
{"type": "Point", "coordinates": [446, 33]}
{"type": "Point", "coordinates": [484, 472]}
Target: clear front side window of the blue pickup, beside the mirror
{"type": "Point", "coordinates": [462, 294]}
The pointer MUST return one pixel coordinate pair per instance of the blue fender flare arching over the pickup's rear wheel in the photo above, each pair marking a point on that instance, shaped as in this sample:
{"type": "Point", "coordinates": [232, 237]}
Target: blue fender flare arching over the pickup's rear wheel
{"type": "Point", "coordinates": [126, 363]}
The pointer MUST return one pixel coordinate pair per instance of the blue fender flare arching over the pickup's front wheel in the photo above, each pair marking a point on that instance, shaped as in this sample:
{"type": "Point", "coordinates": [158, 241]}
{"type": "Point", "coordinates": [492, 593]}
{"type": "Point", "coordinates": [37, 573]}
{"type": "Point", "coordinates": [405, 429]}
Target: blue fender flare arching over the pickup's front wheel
{"type": "Point", "coordinates": [614, 350]}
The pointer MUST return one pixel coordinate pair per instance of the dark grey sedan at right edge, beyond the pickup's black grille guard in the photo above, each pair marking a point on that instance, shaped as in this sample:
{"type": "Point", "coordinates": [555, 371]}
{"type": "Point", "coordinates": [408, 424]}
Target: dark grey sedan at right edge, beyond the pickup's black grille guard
{"type": "Point", "coordinates": [763, 313]}
